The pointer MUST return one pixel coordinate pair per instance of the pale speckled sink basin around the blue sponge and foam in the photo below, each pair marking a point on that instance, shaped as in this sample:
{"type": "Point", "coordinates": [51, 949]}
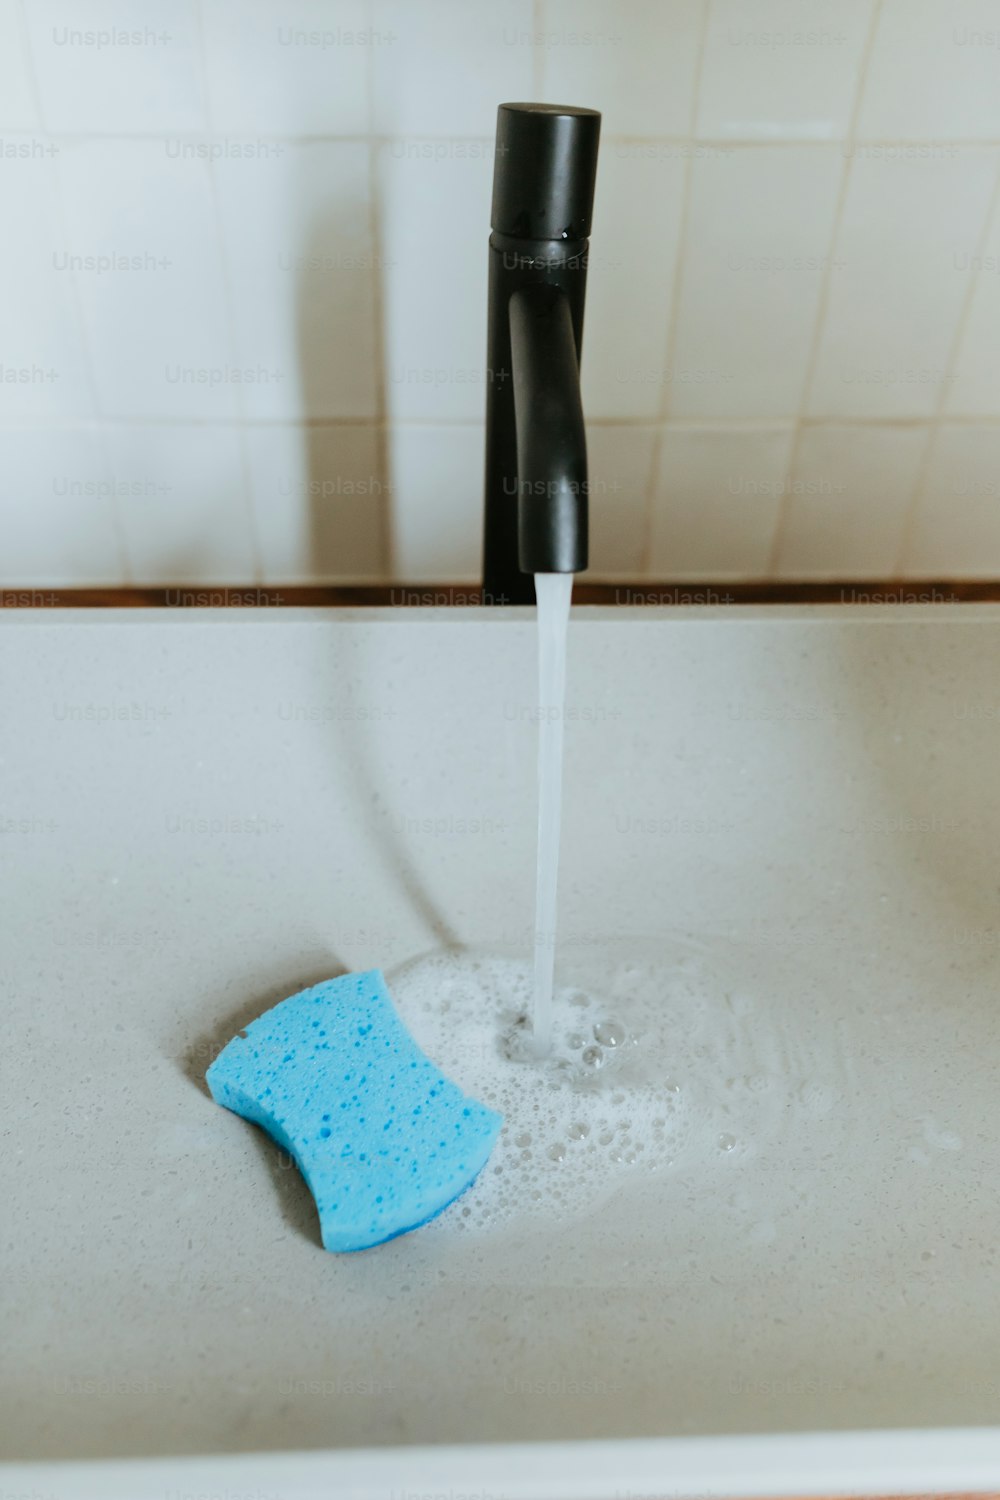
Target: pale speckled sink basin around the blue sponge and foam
{"type": "Point", "coordinates": [205, 812]}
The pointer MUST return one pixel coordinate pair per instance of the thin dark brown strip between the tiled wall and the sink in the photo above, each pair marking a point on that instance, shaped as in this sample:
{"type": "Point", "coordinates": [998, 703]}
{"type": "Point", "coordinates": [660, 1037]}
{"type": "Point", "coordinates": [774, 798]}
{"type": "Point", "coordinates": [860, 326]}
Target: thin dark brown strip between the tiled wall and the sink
{"type": "Point", "coordinates": [644, 592]}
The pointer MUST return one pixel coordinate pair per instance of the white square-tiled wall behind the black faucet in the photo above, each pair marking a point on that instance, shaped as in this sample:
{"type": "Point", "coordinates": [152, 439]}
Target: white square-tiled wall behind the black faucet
{"type": "Point", "coordinates": [244, 284]}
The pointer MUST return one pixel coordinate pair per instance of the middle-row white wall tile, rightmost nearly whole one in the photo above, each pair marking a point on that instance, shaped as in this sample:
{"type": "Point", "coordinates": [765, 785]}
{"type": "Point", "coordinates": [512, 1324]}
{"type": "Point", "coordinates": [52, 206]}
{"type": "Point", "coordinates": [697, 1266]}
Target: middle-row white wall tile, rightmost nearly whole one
{"type": "Point", "coordinates": [896, 293]}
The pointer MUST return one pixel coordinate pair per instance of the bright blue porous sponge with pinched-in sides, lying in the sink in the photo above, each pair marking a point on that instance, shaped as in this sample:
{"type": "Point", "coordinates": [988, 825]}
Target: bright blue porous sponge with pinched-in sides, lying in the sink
{"type": "Point", "coordinates": [383, 1139]}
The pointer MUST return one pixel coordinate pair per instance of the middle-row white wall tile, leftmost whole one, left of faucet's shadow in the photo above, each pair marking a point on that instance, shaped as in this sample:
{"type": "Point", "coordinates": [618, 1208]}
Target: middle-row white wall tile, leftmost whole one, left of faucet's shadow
{"type": "Point", "coordinates": [160, 335]}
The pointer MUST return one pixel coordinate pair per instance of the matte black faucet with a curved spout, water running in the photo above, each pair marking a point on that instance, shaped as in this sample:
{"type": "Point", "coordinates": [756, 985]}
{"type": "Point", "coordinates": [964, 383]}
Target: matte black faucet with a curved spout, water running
{"type": "Point", "coordinates": [536, 445]}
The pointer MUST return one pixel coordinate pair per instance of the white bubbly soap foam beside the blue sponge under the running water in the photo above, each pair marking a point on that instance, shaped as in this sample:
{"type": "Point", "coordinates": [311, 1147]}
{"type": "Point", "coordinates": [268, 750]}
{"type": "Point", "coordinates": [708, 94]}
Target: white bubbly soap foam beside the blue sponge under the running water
{"type": "Point", "coordinates": [597, 1111]}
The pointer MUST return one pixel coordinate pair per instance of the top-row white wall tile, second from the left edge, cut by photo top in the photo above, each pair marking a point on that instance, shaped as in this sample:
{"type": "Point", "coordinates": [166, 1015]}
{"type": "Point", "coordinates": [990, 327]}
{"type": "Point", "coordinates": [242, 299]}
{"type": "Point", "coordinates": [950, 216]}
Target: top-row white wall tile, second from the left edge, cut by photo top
{"type": "Point", "coordinates": [118, 65]}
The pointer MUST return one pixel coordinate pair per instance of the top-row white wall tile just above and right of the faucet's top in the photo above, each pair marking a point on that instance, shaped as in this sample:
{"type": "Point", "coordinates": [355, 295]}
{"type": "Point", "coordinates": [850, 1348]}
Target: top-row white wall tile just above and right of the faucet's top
{"type": "Point", "coordinates": [632, 59]}
